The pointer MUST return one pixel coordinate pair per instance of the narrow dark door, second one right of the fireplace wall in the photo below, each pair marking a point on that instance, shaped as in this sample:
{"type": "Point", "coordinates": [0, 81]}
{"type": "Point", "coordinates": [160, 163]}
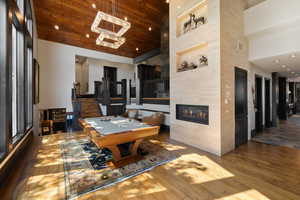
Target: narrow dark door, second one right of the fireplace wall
{"type": "Point", "coordinates": [258, 105]}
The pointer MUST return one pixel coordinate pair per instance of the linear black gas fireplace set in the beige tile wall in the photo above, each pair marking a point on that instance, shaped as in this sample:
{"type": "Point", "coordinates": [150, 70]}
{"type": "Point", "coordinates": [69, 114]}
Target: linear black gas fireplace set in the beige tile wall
{"type": "Point", "coordinates": [193, 113]}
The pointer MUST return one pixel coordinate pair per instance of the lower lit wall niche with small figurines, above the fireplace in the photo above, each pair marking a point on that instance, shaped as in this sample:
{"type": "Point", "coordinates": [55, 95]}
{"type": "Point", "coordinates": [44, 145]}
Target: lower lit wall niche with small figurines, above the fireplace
{"type": "Point", "coordinates": [192, 58]}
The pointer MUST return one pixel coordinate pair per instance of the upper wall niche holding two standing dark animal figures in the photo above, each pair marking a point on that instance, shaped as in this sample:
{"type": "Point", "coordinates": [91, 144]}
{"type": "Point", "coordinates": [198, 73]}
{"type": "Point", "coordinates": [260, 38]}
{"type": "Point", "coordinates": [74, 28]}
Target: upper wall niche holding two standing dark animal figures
{"type": "Point", "coordinates": [192, 18]}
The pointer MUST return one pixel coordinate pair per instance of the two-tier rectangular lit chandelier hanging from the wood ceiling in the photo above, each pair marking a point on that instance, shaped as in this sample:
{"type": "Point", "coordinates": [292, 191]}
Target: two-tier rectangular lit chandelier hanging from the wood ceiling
{"type": "Point", "coordinates": [115, 38]}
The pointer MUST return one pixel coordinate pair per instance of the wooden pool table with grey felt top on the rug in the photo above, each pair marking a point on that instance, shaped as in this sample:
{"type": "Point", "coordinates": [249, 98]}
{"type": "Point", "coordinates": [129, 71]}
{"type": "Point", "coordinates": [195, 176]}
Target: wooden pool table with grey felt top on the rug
{"type": "Point", "coordinates": [111, 132]}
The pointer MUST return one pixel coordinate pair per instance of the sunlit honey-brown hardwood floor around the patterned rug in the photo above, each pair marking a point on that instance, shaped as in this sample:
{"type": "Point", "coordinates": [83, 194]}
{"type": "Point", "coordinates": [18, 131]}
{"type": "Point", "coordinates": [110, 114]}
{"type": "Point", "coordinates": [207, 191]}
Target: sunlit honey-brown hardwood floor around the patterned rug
{"type": "Point", "coordinates": [252, 172]}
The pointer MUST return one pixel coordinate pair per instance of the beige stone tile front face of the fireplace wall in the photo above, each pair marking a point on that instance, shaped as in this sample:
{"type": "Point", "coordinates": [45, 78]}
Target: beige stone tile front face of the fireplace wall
{"type": "Point", "coordinates": [200, 86]}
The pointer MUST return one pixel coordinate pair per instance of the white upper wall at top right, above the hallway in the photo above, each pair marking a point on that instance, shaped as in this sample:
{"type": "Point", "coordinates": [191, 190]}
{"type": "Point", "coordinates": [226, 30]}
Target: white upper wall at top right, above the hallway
{"type": "Point", "coordinates": [273, 28]}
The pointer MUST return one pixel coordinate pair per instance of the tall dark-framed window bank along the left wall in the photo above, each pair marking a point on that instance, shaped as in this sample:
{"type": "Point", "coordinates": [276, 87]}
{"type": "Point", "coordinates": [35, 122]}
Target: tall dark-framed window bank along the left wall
{"type": "Point", "coordinates": [16, 100]}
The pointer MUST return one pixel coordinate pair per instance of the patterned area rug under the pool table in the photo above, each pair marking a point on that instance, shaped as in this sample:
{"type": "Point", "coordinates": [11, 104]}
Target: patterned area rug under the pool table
{"type": "Point", "coordinates": [86, 170]}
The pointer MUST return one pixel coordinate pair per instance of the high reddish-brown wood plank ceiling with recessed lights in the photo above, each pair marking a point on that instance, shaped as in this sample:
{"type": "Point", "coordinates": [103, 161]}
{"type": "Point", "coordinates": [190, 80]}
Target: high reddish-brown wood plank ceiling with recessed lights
{"type": "Point", "coordinates": [75, 17]}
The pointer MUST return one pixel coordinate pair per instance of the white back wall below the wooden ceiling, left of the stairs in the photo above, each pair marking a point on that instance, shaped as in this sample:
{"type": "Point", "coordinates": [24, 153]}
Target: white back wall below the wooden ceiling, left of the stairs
{"type": "Point", "coordinates": [57, 73]}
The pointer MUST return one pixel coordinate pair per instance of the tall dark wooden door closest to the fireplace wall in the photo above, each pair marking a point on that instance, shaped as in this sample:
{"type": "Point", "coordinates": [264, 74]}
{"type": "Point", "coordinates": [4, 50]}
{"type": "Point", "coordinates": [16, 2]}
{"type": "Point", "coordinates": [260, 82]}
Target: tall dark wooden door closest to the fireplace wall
{"type": "Point", "coordinates": [241, 107]}
